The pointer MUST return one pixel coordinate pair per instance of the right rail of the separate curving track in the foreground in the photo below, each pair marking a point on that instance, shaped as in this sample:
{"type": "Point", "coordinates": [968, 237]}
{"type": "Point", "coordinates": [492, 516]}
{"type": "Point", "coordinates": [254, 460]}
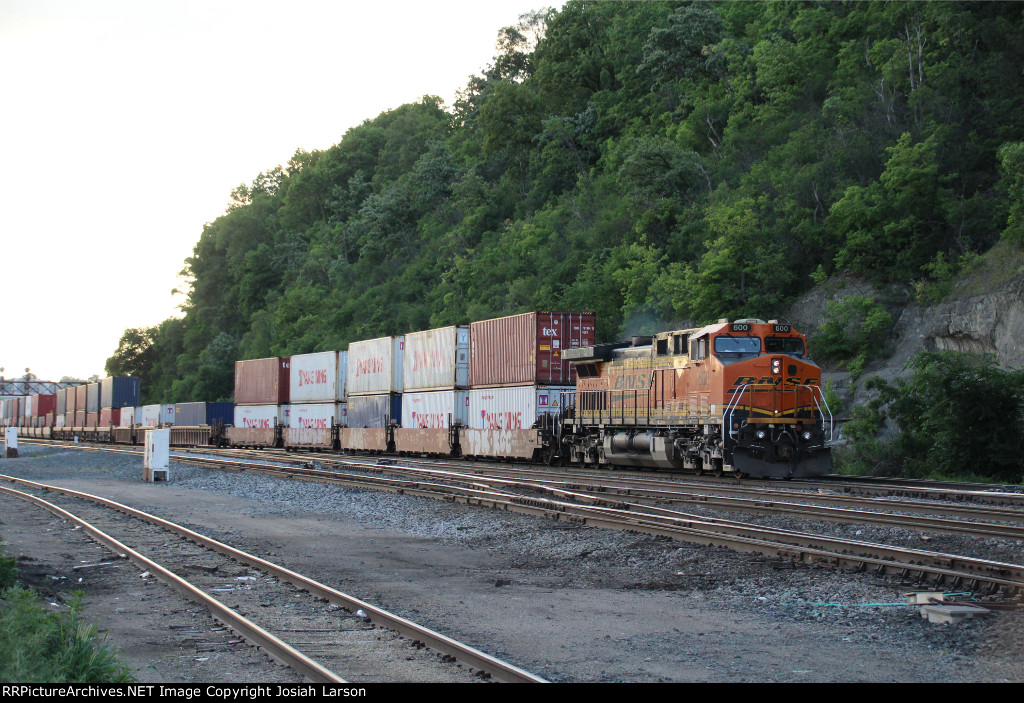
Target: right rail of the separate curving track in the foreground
{"type": "Point", "coordinates": [498, 670]}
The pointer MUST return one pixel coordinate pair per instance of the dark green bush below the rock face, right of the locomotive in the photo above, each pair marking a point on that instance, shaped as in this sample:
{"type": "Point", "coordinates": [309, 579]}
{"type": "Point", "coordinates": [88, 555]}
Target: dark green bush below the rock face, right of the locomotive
{"type": "Point", "coordinates": [958, 416]}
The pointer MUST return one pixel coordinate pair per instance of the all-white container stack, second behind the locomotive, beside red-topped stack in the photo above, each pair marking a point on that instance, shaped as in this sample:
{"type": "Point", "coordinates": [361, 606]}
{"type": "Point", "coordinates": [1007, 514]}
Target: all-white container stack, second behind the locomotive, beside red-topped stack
{"type": "Point", "coordinates": [436, 377]}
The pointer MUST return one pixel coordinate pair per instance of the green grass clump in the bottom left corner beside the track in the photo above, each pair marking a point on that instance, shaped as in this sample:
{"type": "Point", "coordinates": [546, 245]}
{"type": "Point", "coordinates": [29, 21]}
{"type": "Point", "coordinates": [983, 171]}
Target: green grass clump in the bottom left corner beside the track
{"type": "Point", "coordinates": [44, 647]}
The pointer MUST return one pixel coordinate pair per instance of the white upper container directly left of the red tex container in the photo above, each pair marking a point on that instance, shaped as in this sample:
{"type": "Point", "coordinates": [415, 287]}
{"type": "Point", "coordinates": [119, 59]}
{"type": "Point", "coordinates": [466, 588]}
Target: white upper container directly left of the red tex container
{"type": "Point", "coordinates": [437, 360]}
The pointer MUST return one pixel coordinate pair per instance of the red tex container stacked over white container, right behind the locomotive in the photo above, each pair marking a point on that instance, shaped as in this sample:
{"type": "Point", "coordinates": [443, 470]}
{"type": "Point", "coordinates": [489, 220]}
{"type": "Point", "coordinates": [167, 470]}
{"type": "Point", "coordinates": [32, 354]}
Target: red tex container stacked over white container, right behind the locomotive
{"type": "Point", "coordinates": [518, 379]}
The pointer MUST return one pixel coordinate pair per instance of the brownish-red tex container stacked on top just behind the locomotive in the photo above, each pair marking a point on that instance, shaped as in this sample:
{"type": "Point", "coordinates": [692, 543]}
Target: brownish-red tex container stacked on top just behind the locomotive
{"type": "Point", "coordinates": [528, 348]}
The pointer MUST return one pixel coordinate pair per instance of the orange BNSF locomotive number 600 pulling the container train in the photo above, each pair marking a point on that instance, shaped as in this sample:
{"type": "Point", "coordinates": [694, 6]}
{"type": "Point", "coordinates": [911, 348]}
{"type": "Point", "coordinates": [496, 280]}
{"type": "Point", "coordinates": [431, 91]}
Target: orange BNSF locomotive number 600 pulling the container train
{"type": "Point", "coordinates": [739, 399]}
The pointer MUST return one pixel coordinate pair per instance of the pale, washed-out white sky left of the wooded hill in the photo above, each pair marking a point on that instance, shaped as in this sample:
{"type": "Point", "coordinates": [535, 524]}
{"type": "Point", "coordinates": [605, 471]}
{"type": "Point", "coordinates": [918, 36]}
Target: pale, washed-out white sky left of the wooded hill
{"type": "Point", "coordinates": [125, 125]}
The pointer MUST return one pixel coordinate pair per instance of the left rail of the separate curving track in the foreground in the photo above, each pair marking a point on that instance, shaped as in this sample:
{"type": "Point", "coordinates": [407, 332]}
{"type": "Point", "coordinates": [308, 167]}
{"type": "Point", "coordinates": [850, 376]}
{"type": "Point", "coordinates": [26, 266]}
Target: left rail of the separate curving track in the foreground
{"type": "Point", "coordinates": [252, 633]}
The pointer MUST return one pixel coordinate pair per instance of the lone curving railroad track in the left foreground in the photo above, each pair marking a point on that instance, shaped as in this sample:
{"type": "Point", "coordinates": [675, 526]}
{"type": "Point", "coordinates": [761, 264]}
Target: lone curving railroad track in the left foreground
{"type": "Point", "coordinates": [350, 636]}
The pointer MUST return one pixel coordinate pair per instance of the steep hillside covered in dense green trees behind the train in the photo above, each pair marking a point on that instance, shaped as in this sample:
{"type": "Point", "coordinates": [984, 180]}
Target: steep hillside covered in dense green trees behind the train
{"type": "Point", "coordinates": [658, 163]}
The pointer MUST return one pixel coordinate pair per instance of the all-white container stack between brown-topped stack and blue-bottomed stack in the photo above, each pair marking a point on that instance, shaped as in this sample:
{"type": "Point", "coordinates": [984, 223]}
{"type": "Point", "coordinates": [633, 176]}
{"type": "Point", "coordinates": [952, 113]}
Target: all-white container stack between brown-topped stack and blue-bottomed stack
{"type": "Point", "coordinates": [319, 393]}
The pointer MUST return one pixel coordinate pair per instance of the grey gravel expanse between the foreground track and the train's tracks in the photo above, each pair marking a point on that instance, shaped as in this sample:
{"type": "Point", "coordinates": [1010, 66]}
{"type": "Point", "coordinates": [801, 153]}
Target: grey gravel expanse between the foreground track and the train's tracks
{"type": "Point", "coordinates": [574, 603]}
